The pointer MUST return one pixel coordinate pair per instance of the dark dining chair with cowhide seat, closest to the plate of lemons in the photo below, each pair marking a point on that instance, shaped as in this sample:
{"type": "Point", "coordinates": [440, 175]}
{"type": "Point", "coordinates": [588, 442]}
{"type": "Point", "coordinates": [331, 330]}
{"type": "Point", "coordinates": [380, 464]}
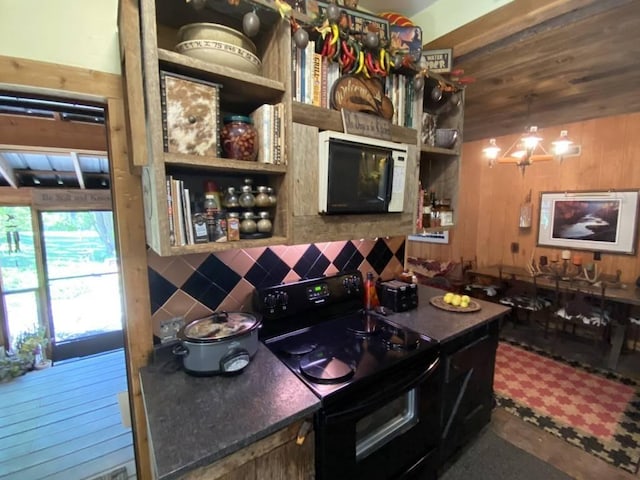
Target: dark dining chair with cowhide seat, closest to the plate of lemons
{"type": "Point", "coordinates": [524, 295]}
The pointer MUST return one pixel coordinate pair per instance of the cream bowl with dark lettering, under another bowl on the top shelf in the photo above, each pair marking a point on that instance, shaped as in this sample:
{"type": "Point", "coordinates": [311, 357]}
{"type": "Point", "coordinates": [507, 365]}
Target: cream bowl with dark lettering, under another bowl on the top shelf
{"type": "Point", "coordinates": [221, 53]}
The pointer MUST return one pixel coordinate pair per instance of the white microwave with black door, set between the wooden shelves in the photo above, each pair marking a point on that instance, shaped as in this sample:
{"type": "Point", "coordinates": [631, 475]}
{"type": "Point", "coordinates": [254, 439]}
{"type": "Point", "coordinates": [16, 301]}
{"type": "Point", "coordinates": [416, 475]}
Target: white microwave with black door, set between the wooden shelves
{"type": "Point", "coordinates": [360, 174]}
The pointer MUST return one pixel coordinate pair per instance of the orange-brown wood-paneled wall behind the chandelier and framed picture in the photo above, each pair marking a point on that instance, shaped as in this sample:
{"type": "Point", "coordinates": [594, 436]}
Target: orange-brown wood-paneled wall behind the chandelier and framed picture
{"type": "Point", "coordinates": [608, 161]}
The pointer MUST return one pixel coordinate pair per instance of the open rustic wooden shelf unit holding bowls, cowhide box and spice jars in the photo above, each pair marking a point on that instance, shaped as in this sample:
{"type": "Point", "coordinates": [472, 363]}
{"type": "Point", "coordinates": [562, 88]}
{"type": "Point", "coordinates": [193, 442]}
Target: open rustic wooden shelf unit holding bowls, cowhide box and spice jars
{"type": "Point", "coordinates": [240, 93]}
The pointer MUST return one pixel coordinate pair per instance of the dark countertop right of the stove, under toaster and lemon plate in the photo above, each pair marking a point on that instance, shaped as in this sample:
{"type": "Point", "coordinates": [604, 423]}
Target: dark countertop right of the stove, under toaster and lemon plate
{"type": "Point", "coordinates": [442, 325]}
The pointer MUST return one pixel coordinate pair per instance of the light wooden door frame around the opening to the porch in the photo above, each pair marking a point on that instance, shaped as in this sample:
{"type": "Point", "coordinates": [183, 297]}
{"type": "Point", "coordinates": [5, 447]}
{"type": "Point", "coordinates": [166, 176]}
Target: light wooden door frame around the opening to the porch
{"type": "Point", "coordinates": [23, 75]}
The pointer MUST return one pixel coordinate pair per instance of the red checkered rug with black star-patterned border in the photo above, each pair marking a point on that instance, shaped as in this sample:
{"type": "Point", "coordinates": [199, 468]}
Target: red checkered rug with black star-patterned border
{"type": "Point", "coordinates": [595, 410]}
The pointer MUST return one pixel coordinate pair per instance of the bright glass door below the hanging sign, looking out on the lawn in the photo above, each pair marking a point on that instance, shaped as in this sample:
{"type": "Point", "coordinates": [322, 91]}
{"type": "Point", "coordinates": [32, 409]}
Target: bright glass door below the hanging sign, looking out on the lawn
{"type": "Point", "coordinates": [82, 282]}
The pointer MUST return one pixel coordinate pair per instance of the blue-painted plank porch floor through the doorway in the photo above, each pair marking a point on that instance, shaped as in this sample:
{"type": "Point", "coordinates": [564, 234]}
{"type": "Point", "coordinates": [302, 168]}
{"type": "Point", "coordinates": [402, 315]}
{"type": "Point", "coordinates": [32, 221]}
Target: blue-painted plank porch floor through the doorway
{"type": "Point", "coordinates": [64, 423]}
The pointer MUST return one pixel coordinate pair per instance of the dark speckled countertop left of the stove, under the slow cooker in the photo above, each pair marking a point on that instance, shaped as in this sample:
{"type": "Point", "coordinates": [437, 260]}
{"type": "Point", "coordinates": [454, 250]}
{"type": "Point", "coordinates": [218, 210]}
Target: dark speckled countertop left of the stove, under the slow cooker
{"type": "Point", "coordinates": [194, 421]}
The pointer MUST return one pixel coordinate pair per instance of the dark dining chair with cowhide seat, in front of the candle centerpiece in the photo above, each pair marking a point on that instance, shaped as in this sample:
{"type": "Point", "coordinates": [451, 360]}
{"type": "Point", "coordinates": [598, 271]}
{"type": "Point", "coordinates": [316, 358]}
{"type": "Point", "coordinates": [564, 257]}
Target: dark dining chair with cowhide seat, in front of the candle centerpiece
{"type": "Point", "coordinates": [583, 309]}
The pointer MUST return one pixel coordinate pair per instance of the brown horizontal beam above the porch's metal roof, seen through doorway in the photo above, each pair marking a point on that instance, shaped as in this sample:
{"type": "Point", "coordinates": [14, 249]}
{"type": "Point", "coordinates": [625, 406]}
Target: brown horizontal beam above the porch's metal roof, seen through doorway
{"type": "Point", "coordinates": [47, 133]}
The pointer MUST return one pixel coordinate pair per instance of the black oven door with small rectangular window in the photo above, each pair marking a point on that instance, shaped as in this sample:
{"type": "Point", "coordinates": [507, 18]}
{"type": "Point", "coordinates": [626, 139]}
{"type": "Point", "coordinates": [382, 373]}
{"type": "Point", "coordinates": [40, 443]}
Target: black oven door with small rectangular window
{"type": "Point", "coordinates": [391, 432]}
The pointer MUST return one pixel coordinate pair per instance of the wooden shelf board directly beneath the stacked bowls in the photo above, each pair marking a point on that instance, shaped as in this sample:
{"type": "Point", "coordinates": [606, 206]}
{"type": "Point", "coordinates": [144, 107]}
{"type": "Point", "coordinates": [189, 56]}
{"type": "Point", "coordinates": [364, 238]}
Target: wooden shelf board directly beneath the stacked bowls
{"type": "Point", "coordinates": [234, 82]}
